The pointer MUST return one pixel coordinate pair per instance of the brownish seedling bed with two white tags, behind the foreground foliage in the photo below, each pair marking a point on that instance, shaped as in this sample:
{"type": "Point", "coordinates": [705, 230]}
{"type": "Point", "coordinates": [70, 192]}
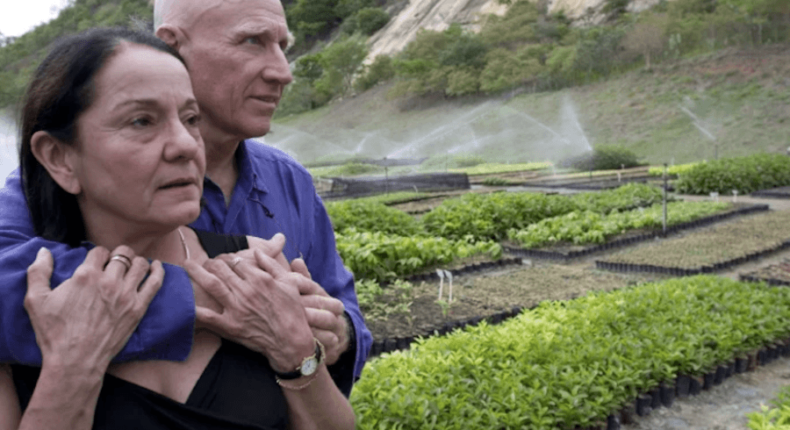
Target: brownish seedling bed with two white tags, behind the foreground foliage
{"type": "Point", "coordinates": [494, 293]}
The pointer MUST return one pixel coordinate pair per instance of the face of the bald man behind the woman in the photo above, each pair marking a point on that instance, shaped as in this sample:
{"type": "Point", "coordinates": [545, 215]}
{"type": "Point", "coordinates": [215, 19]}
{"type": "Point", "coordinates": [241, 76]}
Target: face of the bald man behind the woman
{"type": "Point", "coordinates": [238, 69]}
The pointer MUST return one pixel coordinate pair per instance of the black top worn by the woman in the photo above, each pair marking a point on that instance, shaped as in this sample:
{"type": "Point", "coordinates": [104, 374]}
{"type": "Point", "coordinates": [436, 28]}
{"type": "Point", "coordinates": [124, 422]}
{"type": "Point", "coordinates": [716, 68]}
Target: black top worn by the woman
{"type": "Point", "coordinates": [237, 389]}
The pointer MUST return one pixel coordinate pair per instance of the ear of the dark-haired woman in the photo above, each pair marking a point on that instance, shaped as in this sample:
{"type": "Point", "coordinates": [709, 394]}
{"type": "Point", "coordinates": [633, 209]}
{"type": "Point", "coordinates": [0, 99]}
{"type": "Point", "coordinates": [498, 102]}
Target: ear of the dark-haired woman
{"type": "Point", "coordinates": [54, 156]}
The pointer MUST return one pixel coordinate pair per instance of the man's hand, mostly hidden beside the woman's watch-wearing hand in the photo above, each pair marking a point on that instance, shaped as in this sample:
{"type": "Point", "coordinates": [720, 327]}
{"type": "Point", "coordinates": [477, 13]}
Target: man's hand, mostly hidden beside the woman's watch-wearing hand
{"type": "Point", "coordinates": [325, 315]}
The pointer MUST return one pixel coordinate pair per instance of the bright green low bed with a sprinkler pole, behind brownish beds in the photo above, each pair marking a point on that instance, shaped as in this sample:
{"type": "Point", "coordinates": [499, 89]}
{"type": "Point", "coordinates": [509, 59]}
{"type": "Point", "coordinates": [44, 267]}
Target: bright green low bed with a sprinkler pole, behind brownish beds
{"type": "Point", "coordinates": [581, 228]}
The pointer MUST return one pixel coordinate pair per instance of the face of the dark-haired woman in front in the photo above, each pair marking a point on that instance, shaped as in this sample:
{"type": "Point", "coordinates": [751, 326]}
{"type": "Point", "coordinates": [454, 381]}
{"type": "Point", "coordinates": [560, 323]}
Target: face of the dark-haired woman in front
{"type": "Point", "coordinates": [139, 156]}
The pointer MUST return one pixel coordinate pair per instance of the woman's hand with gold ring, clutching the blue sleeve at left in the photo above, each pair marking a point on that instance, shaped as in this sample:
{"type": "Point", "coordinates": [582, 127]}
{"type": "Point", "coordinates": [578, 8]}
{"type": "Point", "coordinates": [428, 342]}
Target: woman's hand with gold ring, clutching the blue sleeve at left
{"type": "Point", "coordinates": [83, 323]}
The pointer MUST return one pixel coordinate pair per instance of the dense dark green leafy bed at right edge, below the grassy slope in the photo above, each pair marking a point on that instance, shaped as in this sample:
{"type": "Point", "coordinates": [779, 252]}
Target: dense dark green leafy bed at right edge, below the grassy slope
{"type": "Point", "coordinates": [745, 174]}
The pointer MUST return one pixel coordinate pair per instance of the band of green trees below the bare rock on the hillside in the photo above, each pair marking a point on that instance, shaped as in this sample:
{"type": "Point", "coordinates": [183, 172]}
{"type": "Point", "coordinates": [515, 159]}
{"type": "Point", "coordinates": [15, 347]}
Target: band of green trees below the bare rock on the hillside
{"type": "Point", "coordinates": [528, 47]}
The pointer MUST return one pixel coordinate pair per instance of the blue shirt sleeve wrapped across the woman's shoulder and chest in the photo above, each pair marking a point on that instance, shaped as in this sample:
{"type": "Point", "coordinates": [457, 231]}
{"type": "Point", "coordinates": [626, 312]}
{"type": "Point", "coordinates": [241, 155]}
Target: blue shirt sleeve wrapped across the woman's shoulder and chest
{"type": "Point", "coordinates": [164, 333]}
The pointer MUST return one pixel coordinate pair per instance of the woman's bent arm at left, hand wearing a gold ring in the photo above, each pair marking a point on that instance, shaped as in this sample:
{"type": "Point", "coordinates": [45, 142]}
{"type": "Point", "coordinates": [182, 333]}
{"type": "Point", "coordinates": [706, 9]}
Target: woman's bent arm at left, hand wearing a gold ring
{"type": "Point", "coordinates": [79, 327]}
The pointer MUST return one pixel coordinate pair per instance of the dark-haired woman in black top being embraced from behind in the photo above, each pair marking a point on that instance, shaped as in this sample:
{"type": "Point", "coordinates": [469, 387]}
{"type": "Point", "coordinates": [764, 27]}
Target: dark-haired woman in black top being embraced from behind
{"type": "Point", "coordinates": [111, 154]}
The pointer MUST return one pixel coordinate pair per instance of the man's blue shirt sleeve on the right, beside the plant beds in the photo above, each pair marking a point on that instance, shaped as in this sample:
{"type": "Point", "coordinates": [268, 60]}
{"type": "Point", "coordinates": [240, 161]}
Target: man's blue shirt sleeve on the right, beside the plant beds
{"type": "Point", "coordinates": [327, 269]}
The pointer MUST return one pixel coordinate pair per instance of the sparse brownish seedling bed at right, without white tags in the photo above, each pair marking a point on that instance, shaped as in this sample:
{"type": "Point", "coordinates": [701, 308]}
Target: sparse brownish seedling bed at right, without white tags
{"type": "Point", "coordinates": [709, 249]}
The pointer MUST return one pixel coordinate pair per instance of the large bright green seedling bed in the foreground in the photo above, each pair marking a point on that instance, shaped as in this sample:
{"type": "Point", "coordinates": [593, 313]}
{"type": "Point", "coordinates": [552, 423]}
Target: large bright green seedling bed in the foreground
{"type": "Point", "coordinates": [569, 364]}
